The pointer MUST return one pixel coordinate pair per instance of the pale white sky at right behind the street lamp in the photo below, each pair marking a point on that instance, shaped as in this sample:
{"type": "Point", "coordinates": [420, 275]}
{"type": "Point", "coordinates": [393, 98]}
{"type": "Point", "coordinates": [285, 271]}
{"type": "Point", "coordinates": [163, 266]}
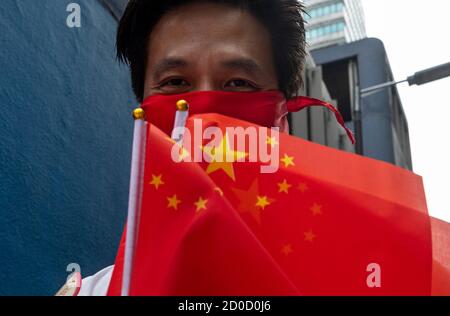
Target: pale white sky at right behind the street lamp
{"type": "Point", "coordinates": [416, 37]}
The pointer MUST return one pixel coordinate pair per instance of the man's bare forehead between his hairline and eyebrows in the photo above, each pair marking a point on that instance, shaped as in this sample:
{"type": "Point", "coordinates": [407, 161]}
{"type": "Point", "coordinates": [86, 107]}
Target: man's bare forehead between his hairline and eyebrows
{"type": "Point", "coordinates": [203, 29]}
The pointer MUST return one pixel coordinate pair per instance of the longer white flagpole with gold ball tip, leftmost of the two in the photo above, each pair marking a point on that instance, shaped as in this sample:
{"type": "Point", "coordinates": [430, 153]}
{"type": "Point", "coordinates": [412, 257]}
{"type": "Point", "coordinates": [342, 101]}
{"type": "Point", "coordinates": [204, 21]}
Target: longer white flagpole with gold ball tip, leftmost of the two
{"type": "Point", "coordinates": [135, 194]}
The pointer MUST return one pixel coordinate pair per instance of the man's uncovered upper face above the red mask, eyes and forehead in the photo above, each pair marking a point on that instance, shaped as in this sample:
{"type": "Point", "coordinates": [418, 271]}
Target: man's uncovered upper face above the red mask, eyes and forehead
{"type": "Point", "coordinates": [207, 46]}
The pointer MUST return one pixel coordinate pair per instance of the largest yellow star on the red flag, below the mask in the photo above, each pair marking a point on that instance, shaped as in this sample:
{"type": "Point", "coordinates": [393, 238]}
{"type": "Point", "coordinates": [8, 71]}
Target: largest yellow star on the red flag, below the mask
{"type": "Point", "coordinates": [219, 156]}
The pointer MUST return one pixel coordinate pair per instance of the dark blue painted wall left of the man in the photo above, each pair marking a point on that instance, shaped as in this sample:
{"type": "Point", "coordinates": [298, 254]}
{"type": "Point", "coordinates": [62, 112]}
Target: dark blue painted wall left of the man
{"type": "Point", "coordinates": [65, 141]}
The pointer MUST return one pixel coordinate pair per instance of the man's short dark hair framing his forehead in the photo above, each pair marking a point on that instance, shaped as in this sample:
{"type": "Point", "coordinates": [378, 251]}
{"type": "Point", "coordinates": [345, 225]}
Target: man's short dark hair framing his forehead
{"type": "Point", "coordinates": [282, 18]}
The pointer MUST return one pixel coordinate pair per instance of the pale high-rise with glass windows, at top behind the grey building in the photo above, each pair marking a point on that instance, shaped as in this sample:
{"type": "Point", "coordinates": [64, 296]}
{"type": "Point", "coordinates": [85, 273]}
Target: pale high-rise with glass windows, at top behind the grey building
{"type": "Point", "coordinates": [331, 22]}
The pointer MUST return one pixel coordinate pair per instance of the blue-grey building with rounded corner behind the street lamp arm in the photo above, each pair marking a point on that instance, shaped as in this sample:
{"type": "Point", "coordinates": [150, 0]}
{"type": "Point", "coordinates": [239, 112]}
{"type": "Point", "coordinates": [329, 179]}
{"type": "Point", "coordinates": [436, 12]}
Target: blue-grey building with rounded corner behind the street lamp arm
{"type": "Point", "coordinates": [358, 65]}
